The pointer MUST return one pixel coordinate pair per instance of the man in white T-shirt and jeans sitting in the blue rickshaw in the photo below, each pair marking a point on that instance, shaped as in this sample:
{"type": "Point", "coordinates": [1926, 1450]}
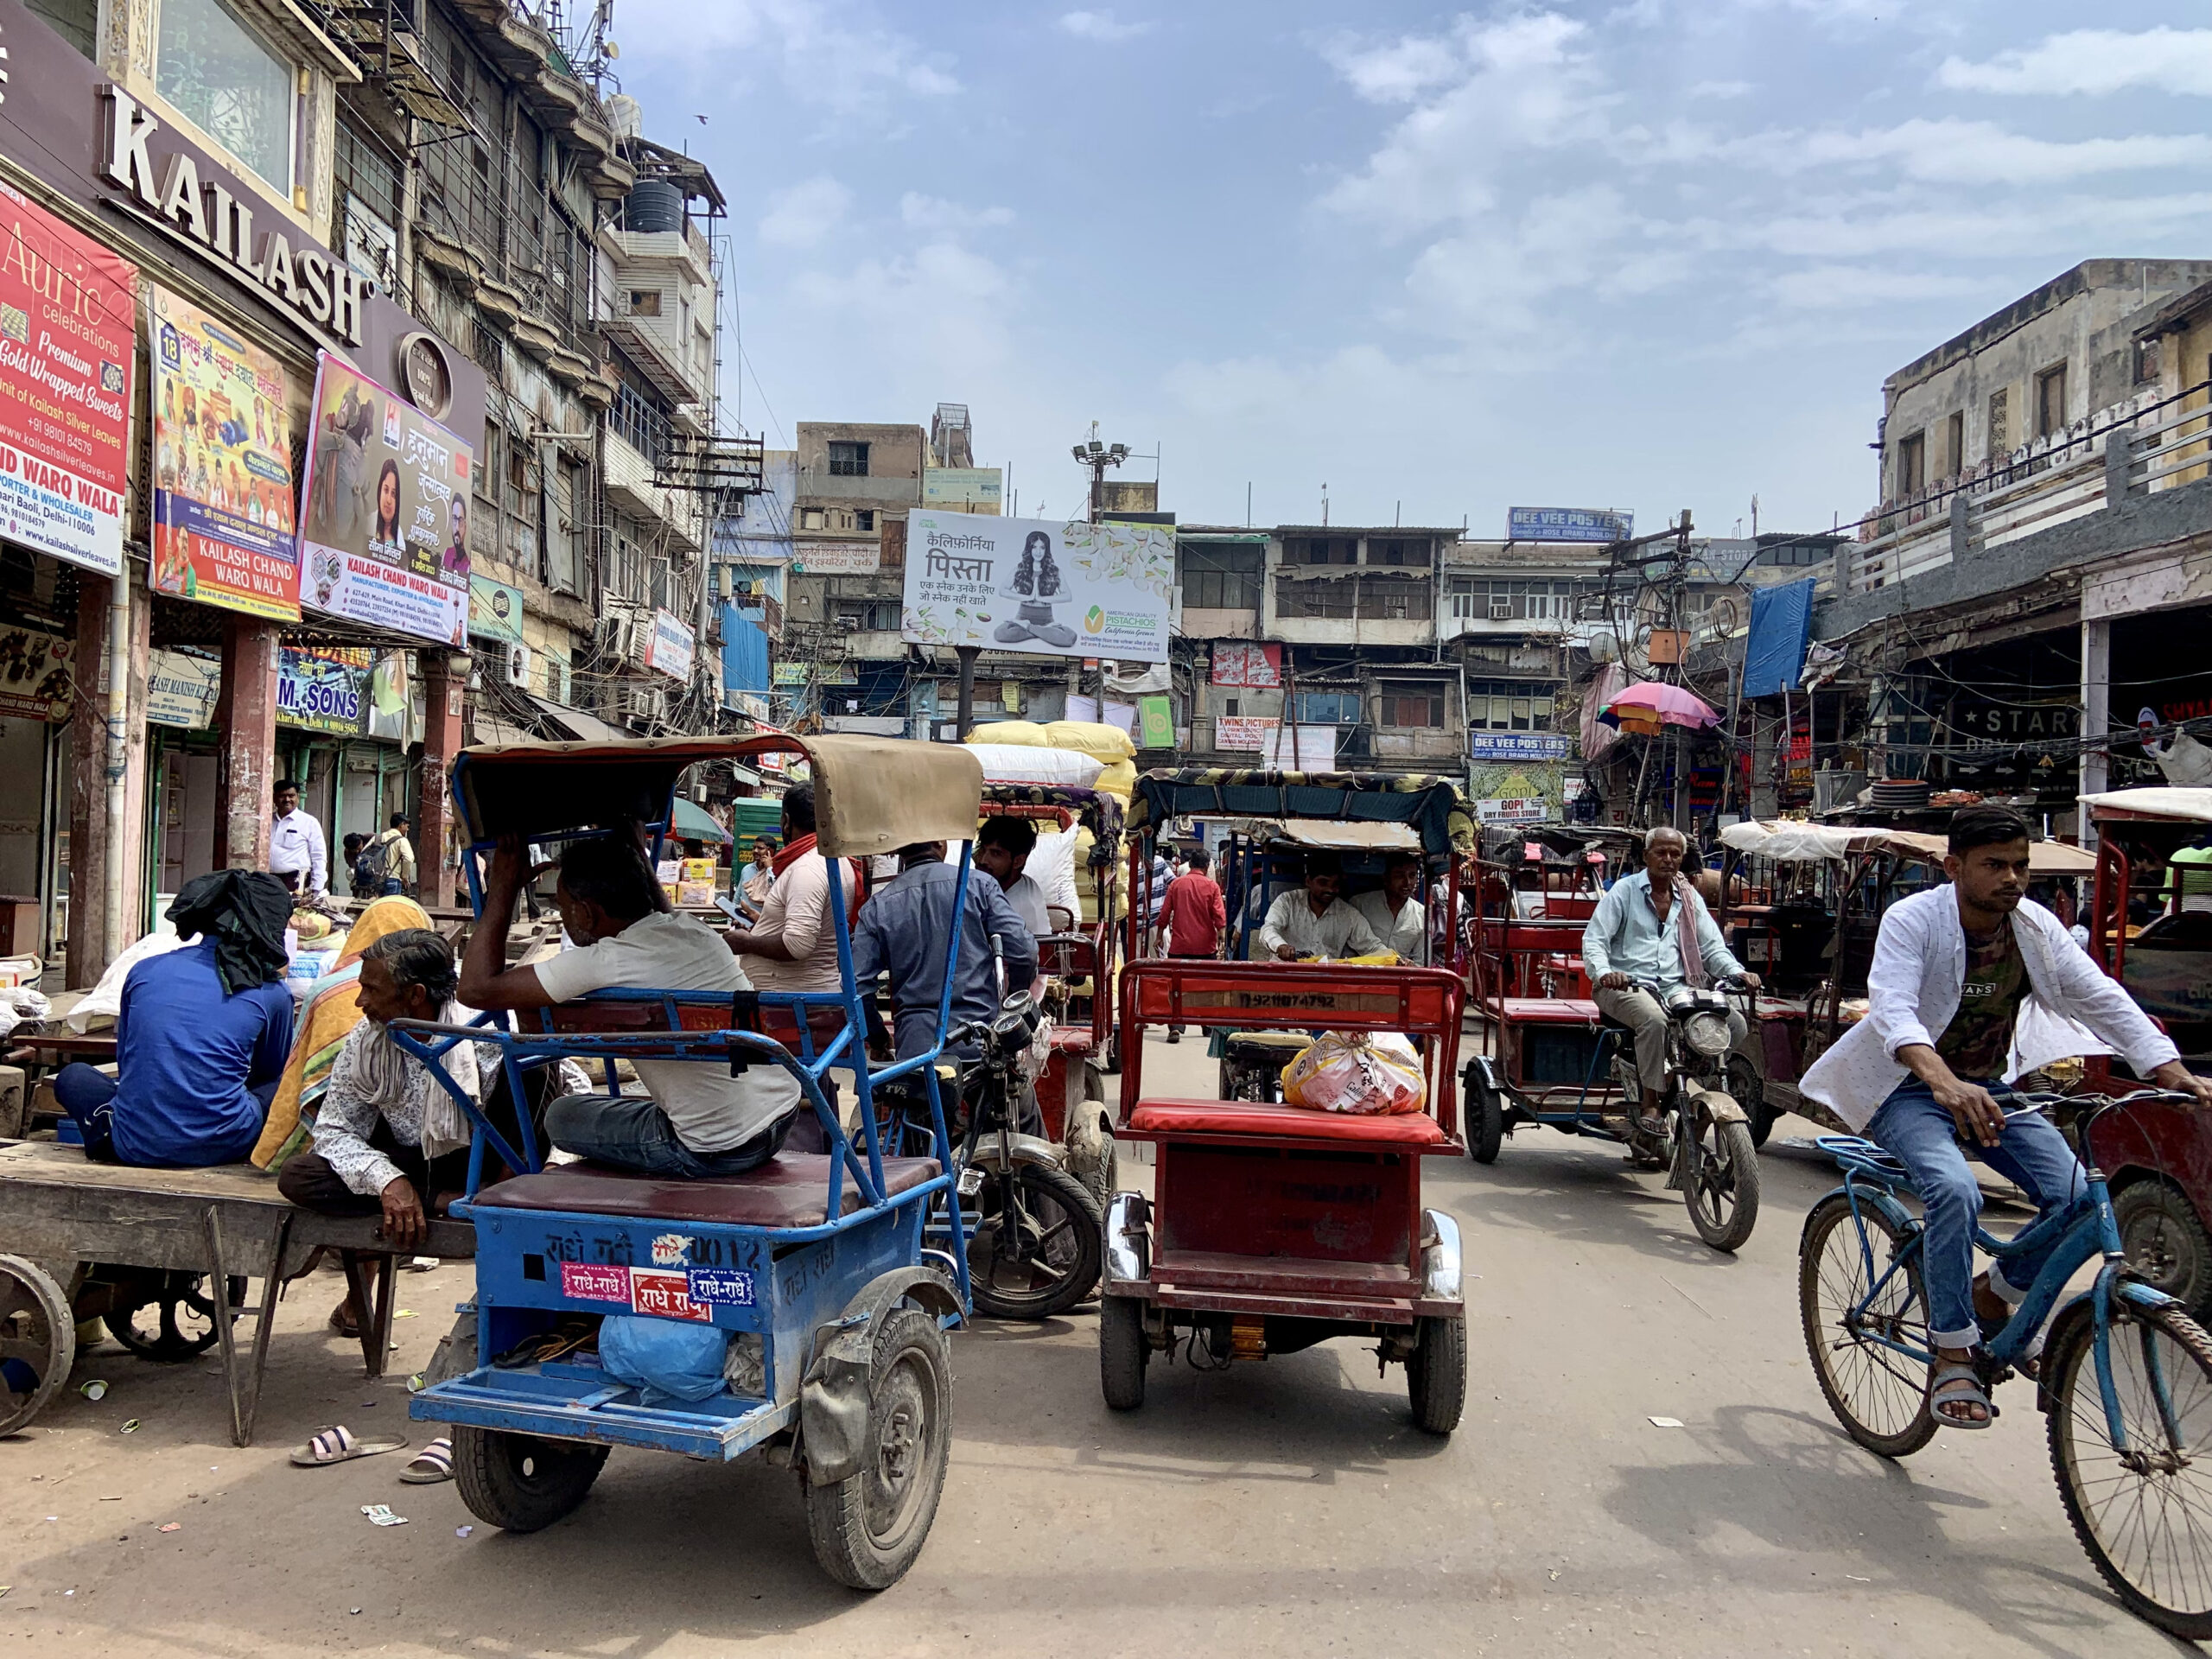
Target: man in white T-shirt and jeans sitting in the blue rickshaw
{"type": "Point", "coordinates": [698, 1120]}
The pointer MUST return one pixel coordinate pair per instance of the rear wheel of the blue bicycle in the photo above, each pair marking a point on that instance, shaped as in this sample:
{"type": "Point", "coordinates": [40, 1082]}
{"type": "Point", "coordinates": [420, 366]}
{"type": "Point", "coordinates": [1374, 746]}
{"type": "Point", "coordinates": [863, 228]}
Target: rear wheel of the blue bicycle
{"type": "Point", "coordinates": [1879, 1397]}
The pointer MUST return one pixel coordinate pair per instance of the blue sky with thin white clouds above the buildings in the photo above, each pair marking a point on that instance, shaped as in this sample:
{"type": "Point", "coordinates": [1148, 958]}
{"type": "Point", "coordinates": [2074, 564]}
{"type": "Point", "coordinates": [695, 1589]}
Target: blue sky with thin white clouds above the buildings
{"type": "Point", "coordinates": [1649, 255]}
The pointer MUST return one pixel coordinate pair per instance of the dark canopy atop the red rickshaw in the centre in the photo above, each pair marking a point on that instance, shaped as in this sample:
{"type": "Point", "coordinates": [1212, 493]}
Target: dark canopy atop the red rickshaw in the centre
{"type": "Point", "coordinates": [1430, 806]}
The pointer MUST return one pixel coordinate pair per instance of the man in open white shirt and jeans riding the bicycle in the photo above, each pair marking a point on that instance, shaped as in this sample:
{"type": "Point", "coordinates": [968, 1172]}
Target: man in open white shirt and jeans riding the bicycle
{"type": "Point", "coordinates": [1974, 985]}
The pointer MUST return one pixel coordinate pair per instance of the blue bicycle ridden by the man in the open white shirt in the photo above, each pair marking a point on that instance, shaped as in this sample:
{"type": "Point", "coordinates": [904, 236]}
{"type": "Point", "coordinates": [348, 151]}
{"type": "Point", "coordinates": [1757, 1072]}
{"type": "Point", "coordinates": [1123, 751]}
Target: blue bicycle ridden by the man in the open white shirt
{"type": "Point", "coordinates": [2125, 1375]}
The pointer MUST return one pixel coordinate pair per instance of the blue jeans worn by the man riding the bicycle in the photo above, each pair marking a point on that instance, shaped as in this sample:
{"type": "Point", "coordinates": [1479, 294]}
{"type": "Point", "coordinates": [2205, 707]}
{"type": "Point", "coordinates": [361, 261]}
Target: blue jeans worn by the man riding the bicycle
{"type": "Point", "coordinates": [2032, 1156]}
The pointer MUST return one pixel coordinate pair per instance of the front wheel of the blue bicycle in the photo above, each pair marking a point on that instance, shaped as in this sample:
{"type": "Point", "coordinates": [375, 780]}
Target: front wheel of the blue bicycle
{"type": "Point", "coordinates": [2145, 1516]}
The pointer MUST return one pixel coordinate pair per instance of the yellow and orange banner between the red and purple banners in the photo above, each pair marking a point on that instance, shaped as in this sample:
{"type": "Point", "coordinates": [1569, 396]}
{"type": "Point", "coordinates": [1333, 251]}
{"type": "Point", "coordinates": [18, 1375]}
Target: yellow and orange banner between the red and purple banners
{"type": "Point", "coordinates": [222, 459]}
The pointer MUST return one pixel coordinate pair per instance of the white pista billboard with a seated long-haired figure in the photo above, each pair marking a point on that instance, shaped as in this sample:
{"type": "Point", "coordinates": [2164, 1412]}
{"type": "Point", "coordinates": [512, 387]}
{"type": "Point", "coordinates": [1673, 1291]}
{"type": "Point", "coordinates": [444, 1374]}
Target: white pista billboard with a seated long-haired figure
{"type": "Point", "coordinates": [1039, 587]}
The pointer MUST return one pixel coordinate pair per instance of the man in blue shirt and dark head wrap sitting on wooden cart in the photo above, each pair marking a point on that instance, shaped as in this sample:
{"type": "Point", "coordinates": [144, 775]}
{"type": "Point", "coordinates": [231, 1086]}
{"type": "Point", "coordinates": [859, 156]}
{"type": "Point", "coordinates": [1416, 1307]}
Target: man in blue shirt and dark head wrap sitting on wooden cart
{"type": "Point", "coordinates": [200, 1039]}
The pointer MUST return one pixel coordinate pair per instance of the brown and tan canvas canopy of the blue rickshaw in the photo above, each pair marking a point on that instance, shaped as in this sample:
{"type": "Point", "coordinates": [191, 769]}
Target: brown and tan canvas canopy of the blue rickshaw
{"type": "Point", "coordinates": [873, 795]}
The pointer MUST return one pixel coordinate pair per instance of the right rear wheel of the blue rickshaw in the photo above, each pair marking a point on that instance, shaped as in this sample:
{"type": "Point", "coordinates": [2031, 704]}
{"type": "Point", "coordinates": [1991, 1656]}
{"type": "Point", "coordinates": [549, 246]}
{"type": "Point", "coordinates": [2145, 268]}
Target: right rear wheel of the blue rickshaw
{"type": "Point", "coordinates": [870, 1527]}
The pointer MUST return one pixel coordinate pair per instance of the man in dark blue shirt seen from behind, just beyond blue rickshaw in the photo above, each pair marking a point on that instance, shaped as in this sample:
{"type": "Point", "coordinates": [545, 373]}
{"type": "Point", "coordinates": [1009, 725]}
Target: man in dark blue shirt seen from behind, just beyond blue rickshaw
{"type": "Point", "coordinates": [904, 932]}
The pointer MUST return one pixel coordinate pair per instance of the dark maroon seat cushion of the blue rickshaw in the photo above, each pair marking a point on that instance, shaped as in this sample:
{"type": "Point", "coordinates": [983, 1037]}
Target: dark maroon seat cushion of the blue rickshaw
{"type": "Point", "coordinates": [791, 1191]}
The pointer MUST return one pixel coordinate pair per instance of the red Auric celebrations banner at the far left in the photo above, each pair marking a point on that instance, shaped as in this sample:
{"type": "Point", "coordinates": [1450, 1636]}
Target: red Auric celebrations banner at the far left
{"type": "Point", "coordinates": [67, 340]}
